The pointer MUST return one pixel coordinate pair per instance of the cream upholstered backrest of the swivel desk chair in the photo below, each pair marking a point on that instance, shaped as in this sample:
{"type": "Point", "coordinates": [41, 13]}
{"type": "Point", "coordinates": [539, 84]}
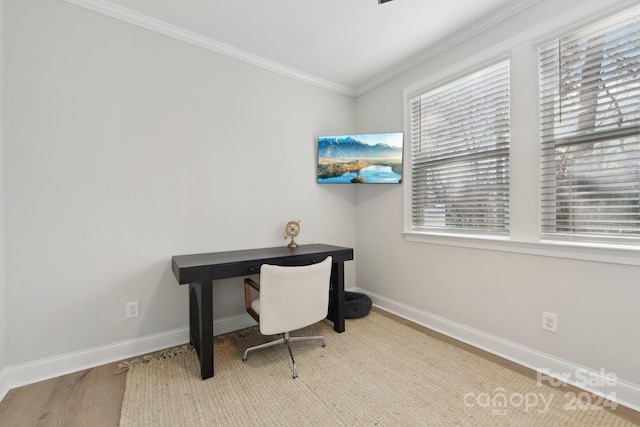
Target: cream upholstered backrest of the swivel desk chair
{"type": "Point", "coordinates": [293, 297]}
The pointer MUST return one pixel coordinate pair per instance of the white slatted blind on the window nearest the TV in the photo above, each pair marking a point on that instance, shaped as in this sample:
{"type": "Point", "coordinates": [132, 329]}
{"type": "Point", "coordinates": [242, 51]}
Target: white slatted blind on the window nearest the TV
{"type": "Point", "coordinates": [460, 155]}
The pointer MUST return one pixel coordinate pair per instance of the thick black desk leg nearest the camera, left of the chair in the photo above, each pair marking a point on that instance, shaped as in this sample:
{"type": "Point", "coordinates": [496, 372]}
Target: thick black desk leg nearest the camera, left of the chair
{"type": "Point", "coordinates": [201, 325]}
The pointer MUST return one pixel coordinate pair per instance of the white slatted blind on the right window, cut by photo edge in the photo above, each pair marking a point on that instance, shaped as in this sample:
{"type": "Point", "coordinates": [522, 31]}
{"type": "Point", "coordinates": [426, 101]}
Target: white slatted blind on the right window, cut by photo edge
{"type": "Point", "coordinates": [590, 122]}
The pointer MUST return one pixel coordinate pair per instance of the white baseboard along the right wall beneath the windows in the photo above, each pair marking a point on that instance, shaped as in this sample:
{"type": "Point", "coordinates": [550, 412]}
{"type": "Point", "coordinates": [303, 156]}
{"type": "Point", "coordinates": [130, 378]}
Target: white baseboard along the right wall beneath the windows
{"type": "Point", "coordinates": [600, 383]}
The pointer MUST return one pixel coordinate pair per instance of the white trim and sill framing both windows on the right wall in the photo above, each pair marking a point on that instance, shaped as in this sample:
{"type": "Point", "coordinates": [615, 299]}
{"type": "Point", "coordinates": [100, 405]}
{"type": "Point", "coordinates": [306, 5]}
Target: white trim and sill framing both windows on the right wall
{"type": "Point", "coordinates": [525, 235]}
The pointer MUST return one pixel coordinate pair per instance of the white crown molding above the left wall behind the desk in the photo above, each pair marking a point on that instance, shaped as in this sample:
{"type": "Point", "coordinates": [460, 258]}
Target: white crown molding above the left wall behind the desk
{"type": "Point", "coordinates": [132, 17]}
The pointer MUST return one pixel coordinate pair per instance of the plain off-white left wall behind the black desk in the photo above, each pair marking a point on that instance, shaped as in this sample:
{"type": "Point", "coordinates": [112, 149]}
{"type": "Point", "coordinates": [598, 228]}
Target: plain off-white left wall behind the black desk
{"type": "Point", "coordinates": [124, 147]}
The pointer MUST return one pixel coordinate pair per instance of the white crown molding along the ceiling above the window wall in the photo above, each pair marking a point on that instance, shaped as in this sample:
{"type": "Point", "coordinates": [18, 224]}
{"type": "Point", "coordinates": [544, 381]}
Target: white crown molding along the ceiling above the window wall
{"type": "Point", "coordinates": [451, 42]}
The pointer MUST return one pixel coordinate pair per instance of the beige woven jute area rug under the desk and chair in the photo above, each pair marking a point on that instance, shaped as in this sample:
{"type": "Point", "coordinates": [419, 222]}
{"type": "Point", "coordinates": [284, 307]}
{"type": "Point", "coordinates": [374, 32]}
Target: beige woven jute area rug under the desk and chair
{"type": "Point", "coordinates": [377, 373]}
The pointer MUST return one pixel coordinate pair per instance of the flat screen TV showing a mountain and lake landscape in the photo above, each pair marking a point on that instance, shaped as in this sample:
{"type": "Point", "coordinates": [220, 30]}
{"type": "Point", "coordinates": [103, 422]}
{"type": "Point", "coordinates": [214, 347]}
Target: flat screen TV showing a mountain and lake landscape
{"type": "Point", "coordinates": [373, 158]}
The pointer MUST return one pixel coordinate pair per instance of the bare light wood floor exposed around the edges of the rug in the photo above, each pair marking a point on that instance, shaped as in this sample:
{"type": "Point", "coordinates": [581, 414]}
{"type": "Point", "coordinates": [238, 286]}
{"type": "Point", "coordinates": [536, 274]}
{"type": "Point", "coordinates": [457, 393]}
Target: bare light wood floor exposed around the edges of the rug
{"type": "Point", "coordinates": [93, 397]}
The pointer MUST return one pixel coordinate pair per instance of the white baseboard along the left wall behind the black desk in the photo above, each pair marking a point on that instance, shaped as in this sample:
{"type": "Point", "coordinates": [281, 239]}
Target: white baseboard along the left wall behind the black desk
{"type": "Point", "coordinates": [44, 369]}
